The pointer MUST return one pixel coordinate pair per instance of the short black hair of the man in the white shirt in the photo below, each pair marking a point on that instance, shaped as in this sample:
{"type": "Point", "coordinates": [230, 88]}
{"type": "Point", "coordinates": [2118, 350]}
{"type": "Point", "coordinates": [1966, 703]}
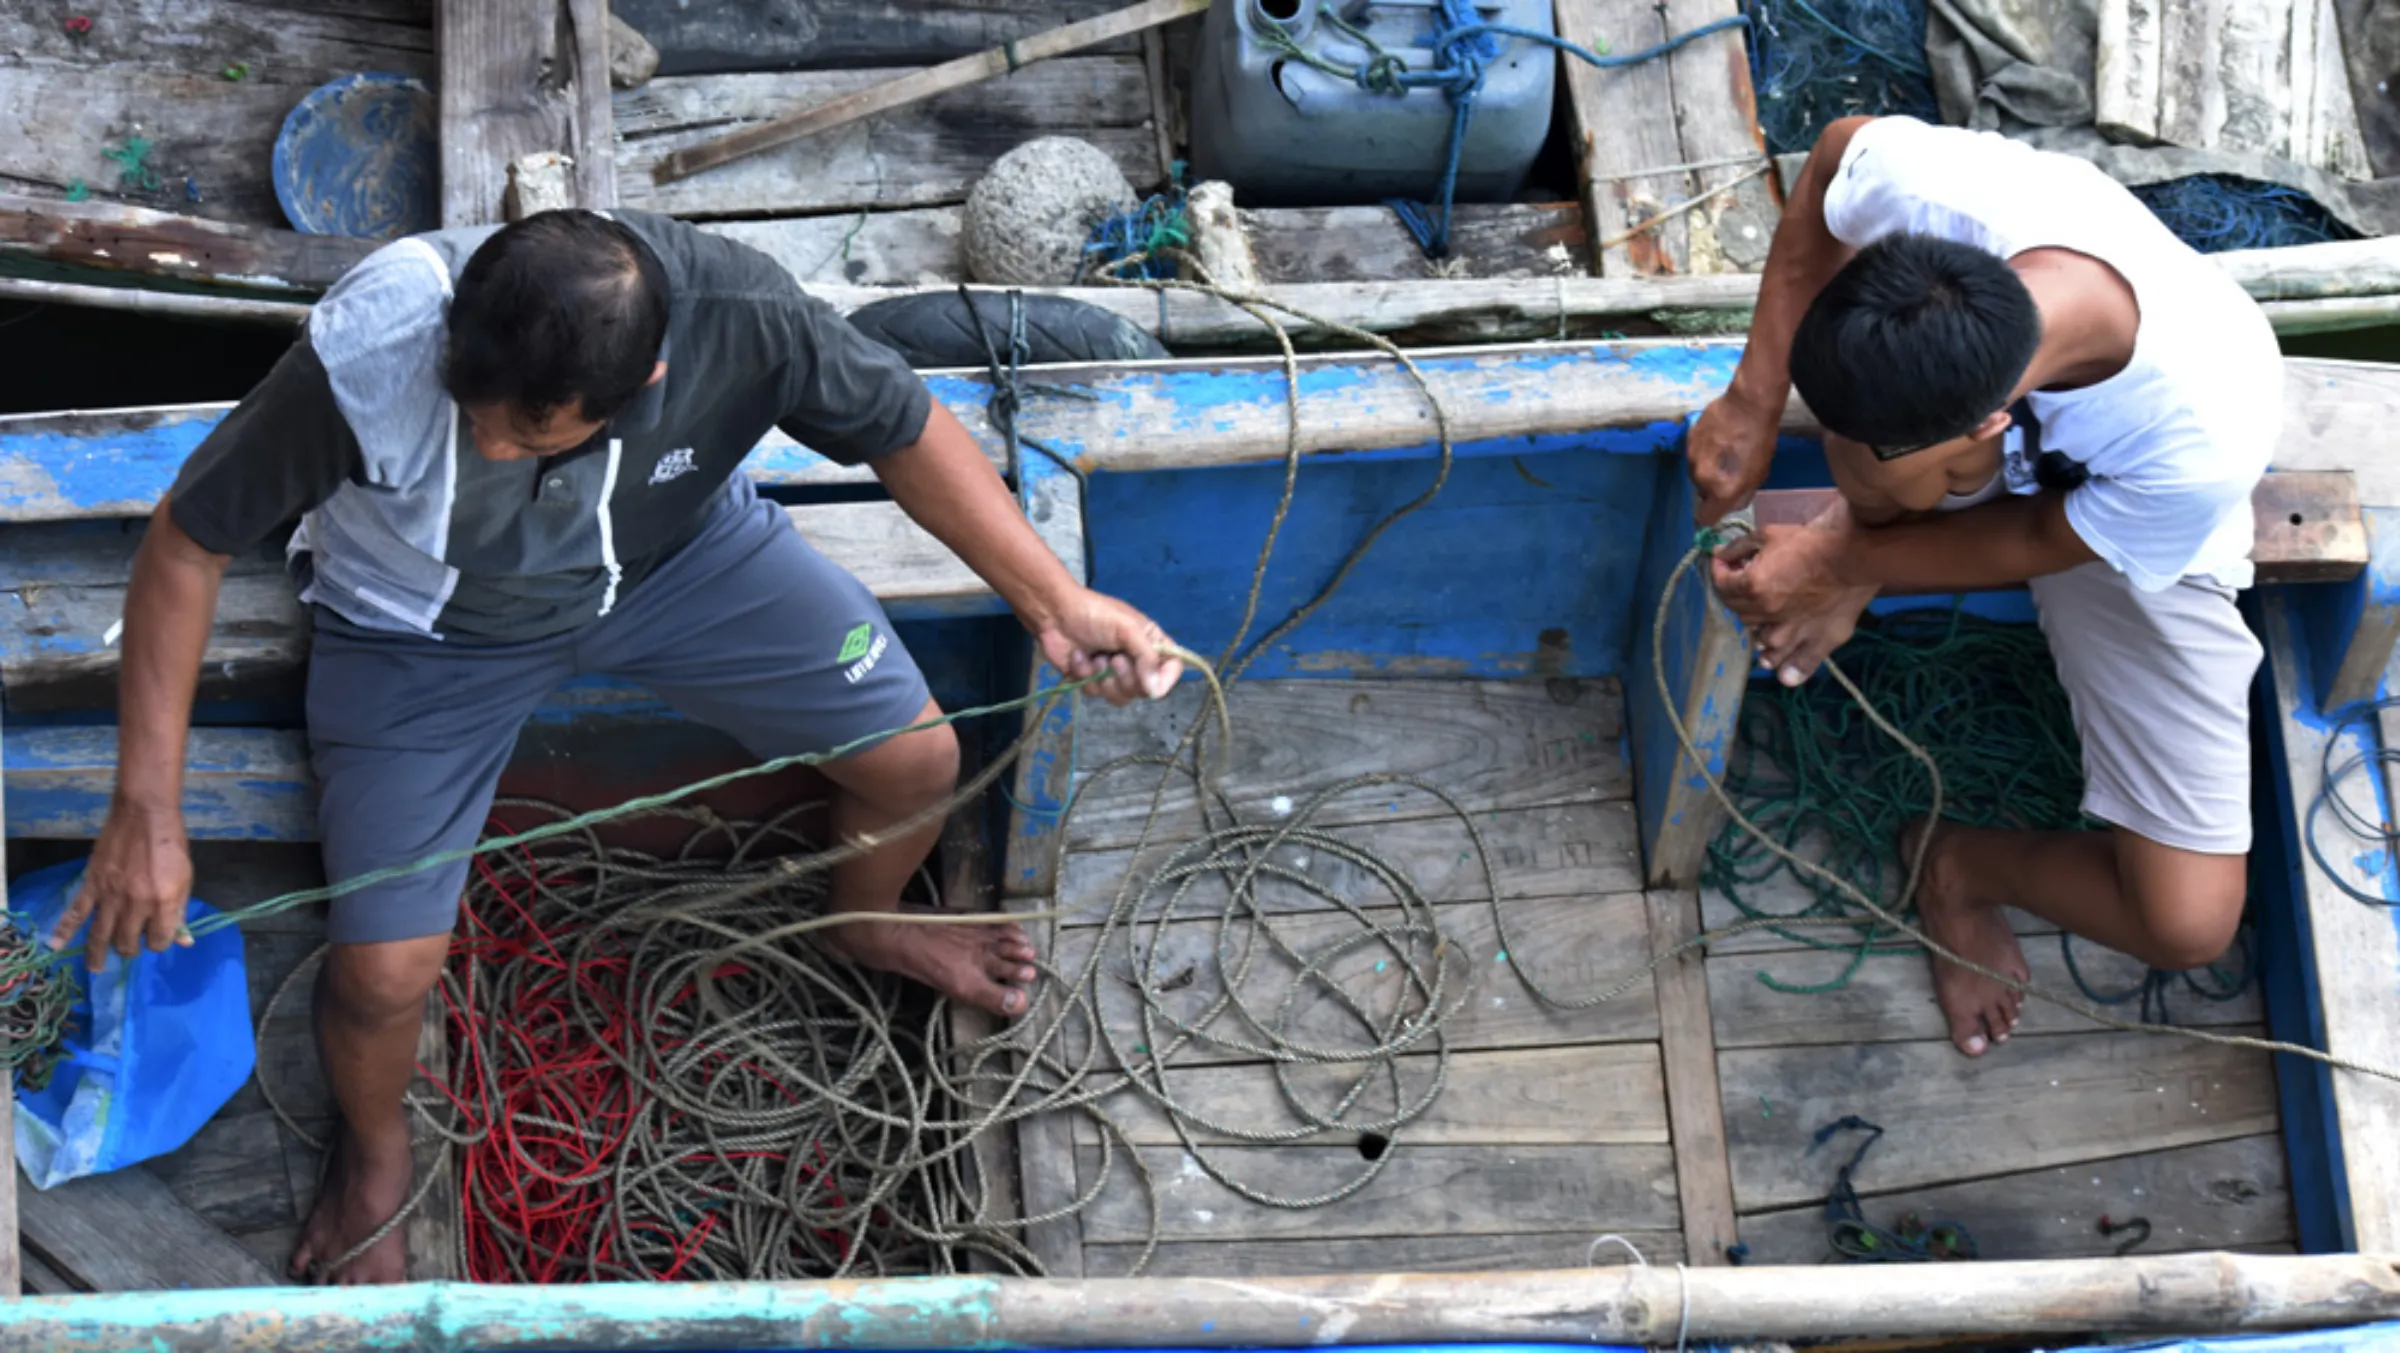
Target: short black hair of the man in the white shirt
{"type": "Point", "coordinates": [1914, 342]}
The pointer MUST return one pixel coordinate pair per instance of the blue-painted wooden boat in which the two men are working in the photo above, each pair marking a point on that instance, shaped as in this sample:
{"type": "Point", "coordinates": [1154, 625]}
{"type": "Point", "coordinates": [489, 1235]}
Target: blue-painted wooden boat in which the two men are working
{"type": "Point", "coordinates": [1499, 642]}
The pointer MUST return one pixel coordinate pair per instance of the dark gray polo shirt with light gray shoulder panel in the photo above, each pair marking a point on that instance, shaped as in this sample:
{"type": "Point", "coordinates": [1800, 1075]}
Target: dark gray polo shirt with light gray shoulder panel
{"type": "Point", "coordinates": [404, 527]}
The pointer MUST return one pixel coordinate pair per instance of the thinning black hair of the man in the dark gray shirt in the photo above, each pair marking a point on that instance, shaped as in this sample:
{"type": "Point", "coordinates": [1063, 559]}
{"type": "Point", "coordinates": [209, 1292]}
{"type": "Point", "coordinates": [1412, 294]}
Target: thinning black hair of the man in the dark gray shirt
{"type": "Point", "coordinates": [558, 311]}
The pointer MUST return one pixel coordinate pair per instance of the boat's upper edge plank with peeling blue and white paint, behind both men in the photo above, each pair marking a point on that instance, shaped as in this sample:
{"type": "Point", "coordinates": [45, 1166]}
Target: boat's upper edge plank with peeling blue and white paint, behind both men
{"type": "Point", "coordinates": [1235, 411]}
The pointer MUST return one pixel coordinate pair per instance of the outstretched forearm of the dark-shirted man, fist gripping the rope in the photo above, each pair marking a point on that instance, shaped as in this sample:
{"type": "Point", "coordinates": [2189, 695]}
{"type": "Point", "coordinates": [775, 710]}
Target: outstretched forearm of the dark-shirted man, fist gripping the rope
{"type": "Point", "coordinates": [952, 491]}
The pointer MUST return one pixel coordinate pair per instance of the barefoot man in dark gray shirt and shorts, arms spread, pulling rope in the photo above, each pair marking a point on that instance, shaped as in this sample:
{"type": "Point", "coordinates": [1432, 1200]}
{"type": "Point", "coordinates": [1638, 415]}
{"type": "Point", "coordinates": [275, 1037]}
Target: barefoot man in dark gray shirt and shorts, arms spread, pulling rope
{"type": "Point", "coordinates": [517, 457]}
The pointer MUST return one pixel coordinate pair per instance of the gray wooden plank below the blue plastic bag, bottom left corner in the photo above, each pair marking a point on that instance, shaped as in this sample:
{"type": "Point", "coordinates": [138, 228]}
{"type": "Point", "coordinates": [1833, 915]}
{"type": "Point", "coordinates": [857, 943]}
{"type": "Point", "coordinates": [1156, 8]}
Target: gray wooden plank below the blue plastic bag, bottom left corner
{"type": "Point", "coordinates": [128, 1232]}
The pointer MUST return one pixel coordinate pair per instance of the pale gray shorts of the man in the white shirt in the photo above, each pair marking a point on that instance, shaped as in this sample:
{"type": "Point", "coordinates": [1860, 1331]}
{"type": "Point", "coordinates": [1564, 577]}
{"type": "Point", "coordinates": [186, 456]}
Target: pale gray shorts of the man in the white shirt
{"type": "Point", "coordinates": [2161, 692]}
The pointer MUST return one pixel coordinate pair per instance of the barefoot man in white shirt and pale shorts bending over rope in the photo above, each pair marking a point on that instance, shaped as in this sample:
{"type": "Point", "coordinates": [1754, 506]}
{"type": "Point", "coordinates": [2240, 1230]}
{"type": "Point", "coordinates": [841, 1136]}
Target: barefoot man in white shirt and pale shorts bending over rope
{"type": "Point", "coordinates": [2024, 378]}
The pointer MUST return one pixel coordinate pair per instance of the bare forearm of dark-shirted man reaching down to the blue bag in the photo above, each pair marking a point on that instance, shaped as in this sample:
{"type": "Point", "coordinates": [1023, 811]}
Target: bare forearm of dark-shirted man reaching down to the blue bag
{"type": "Point", "coordinates": [140, 872]}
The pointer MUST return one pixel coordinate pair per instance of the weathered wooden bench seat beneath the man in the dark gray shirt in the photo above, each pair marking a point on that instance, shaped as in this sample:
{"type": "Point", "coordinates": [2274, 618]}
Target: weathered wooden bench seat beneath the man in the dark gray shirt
{"type": "Point", "coordinates": [56, 647]}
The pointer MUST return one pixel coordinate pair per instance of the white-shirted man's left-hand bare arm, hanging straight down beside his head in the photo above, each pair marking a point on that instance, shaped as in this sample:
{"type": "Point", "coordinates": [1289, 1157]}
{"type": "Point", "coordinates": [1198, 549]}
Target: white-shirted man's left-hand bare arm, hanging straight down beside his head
{"type": "Point", "coordinates": [1736, 438]}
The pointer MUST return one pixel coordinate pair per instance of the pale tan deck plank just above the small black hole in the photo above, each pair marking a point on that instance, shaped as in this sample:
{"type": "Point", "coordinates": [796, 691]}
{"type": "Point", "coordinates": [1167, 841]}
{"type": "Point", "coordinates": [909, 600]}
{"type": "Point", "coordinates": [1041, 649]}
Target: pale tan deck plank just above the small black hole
{"type": "Point", "coordinates": [1525, 1098]}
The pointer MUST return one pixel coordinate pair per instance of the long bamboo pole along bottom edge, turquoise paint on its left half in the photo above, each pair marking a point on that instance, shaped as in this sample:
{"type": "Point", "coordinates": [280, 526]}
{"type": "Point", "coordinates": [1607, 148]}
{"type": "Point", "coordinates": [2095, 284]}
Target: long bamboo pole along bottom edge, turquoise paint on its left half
{"type": "Point", "coordinates": [2192, 1294]}
